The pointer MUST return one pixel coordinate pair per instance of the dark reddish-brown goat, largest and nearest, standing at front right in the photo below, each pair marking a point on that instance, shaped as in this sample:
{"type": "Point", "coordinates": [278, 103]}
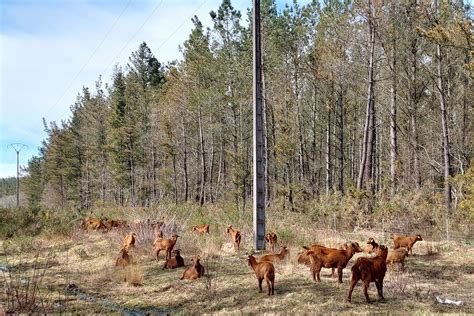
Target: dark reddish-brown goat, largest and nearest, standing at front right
{"type": "Point", "coordinates": [370, 270]}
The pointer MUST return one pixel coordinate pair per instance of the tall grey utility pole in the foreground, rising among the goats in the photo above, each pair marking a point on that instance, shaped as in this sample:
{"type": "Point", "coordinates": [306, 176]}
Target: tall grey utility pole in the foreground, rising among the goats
{"type": "Point", "coordinates": [258, 141]}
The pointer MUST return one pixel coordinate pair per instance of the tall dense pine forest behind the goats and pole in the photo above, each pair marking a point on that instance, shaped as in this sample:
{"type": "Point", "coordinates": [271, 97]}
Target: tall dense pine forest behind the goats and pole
{"type": "Point", "coordinates": [369, 98]}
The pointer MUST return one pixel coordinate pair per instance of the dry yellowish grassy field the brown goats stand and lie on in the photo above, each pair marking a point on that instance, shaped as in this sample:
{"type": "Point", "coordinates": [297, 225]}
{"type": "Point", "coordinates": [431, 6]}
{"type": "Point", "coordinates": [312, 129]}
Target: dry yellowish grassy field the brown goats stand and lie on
{"type": "Point", "coordinates": [76, 274]}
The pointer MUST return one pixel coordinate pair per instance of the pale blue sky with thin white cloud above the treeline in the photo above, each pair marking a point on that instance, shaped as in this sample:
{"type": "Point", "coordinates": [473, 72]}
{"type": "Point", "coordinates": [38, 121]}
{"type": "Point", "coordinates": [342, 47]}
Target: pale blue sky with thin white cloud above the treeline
{"type": "Point", "coordinates": [50, 49]}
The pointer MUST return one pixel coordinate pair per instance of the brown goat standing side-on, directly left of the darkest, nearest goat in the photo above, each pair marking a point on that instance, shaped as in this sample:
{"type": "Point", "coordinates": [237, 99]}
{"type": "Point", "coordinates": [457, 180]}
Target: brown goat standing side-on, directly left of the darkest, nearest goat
{"type": "Point", "coordinates": [332, 258]}
